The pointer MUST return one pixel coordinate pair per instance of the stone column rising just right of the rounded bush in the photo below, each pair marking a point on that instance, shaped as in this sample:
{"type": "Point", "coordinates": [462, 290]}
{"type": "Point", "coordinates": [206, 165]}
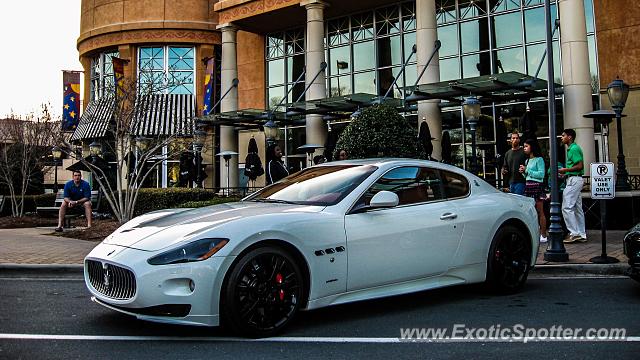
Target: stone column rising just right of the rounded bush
{"type": "Point", "coordinates": [426, 36]}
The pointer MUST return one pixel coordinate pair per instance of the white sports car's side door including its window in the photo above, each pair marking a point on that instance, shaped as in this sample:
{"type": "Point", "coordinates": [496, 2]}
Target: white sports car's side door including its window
{"type": "Point", "coordinates": [416, 239]}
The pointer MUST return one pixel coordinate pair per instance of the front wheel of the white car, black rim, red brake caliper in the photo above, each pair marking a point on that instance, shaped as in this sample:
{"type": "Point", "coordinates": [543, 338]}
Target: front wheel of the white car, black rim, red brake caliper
{"type": "Point", "coordinates": [262, 293]}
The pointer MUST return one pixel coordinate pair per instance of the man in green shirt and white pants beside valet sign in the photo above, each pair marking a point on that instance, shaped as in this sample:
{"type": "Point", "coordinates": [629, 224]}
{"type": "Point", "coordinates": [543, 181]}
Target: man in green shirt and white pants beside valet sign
{"type": "Point", "coordinates": [571, 198]}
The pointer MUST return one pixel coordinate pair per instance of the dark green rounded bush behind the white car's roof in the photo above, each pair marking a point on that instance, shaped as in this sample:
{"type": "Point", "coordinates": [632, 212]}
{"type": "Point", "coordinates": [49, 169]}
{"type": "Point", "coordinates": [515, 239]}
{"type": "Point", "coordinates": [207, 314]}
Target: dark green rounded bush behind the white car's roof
{"type": "Point", "coordinates": [379, 131]}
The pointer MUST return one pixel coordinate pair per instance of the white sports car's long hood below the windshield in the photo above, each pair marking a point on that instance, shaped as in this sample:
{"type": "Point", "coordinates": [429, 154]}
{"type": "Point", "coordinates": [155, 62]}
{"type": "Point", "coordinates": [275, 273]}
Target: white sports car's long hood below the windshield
{"type": "Point", "coordinates": [164, 228]}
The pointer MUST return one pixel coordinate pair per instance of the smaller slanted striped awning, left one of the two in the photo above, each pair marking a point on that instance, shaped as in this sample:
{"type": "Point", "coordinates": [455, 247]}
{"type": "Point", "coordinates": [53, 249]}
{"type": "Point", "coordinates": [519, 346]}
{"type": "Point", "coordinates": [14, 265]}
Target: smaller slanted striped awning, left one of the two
{"type": "Point", "coordinates": [95, 120]}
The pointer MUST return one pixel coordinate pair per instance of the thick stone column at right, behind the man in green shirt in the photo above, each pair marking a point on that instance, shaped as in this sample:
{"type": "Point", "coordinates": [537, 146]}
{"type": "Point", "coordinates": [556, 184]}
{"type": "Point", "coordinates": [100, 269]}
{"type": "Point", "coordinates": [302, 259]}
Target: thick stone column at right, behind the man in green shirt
{"type": "Point", "coordinates": [576, 77]}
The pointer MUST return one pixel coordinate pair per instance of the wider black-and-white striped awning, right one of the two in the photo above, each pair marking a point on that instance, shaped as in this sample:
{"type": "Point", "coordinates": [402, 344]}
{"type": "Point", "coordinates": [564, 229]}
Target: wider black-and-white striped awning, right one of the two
{"type": "Point", "coordinates": [164, 114]}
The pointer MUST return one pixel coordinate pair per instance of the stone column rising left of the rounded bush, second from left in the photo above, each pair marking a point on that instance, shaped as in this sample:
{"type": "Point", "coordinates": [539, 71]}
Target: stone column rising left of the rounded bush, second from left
{"type": "Point", "coordinates": [315, 129]}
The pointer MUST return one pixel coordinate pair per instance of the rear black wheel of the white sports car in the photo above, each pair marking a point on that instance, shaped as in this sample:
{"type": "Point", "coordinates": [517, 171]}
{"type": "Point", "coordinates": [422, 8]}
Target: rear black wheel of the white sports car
{"type": "Point", "coordinates": [509, 260]}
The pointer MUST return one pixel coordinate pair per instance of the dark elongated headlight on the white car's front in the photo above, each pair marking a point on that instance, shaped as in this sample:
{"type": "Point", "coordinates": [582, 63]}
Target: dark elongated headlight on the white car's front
{"type": "Point", "coordinates": [194, 251]}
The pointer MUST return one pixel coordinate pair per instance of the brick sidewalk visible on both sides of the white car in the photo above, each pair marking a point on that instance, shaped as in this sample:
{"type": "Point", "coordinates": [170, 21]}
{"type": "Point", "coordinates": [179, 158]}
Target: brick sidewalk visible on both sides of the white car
{"type": "Point", "coordinates": [33, 246]}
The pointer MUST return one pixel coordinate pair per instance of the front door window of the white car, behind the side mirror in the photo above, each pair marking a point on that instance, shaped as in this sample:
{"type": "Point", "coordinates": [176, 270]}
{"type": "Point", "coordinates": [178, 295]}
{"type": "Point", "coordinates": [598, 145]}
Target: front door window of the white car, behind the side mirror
{"type": "Point", "coordinates": [412, 185]}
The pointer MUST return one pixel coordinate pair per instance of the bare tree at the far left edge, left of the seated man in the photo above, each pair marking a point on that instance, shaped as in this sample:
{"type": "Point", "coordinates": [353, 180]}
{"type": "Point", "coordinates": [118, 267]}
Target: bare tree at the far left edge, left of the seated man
{"type": "Point", "coordinates": [26, 142]}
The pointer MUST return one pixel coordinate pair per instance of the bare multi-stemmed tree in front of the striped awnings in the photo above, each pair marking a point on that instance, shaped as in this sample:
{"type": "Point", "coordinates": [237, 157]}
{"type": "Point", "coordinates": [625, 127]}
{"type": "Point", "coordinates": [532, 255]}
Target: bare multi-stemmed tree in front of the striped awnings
{"type": "Point", "coordinates": [136, 152]}
